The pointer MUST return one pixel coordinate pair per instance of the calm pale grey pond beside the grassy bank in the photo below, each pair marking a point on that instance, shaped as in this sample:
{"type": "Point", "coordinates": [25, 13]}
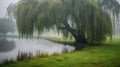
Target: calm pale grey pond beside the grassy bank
{"type": "Point", "coordinates": [10, 47]}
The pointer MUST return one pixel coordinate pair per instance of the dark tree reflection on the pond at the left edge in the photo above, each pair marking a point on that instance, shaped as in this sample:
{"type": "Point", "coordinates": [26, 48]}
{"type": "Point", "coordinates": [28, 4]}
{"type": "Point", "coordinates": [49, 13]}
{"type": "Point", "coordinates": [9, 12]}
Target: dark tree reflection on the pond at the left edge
{"type": "Point", "coordinates": [6, 45]}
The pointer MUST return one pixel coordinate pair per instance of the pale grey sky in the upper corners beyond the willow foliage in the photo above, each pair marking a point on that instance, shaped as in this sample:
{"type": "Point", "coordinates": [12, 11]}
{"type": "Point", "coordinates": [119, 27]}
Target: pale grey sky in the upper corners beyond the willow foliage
{"type": "Point", "coordinates": [5, 3]}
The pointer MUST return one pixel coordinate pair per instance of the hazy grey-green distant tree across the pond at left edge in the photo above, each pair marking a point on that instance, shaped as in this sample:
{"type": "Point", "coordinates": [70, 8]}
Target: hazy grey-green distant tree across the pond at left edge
{"type": "Point", "coordinates": [6, 25]}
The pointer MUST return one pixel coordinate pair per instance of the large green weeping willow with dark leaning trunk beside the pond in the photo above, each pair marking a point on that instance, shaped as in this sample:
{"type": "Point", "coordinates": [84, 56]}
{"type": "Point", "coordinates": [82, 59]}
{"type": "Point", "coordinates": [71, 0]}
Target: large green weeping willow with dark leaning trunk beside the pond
{"type": "Point", "coordinates": [84, 20]}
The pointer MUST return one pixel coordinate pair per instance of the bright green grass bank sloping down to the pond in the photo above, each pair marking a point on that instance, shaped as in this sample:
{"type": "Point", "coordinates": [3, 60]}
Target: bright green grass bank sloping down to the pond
{"type": "Point", "coordinates": [107, 55]}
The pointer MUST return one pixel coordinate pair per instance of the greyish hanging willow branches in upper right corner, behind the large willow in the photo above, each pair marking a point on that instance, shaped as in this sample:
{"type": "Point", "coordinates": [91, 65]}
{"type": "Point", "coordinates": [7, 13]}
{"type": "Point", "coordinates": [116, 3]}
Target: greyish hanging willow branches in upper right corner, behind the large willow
{"type": "Point", "coordinates": [112, 7]}
